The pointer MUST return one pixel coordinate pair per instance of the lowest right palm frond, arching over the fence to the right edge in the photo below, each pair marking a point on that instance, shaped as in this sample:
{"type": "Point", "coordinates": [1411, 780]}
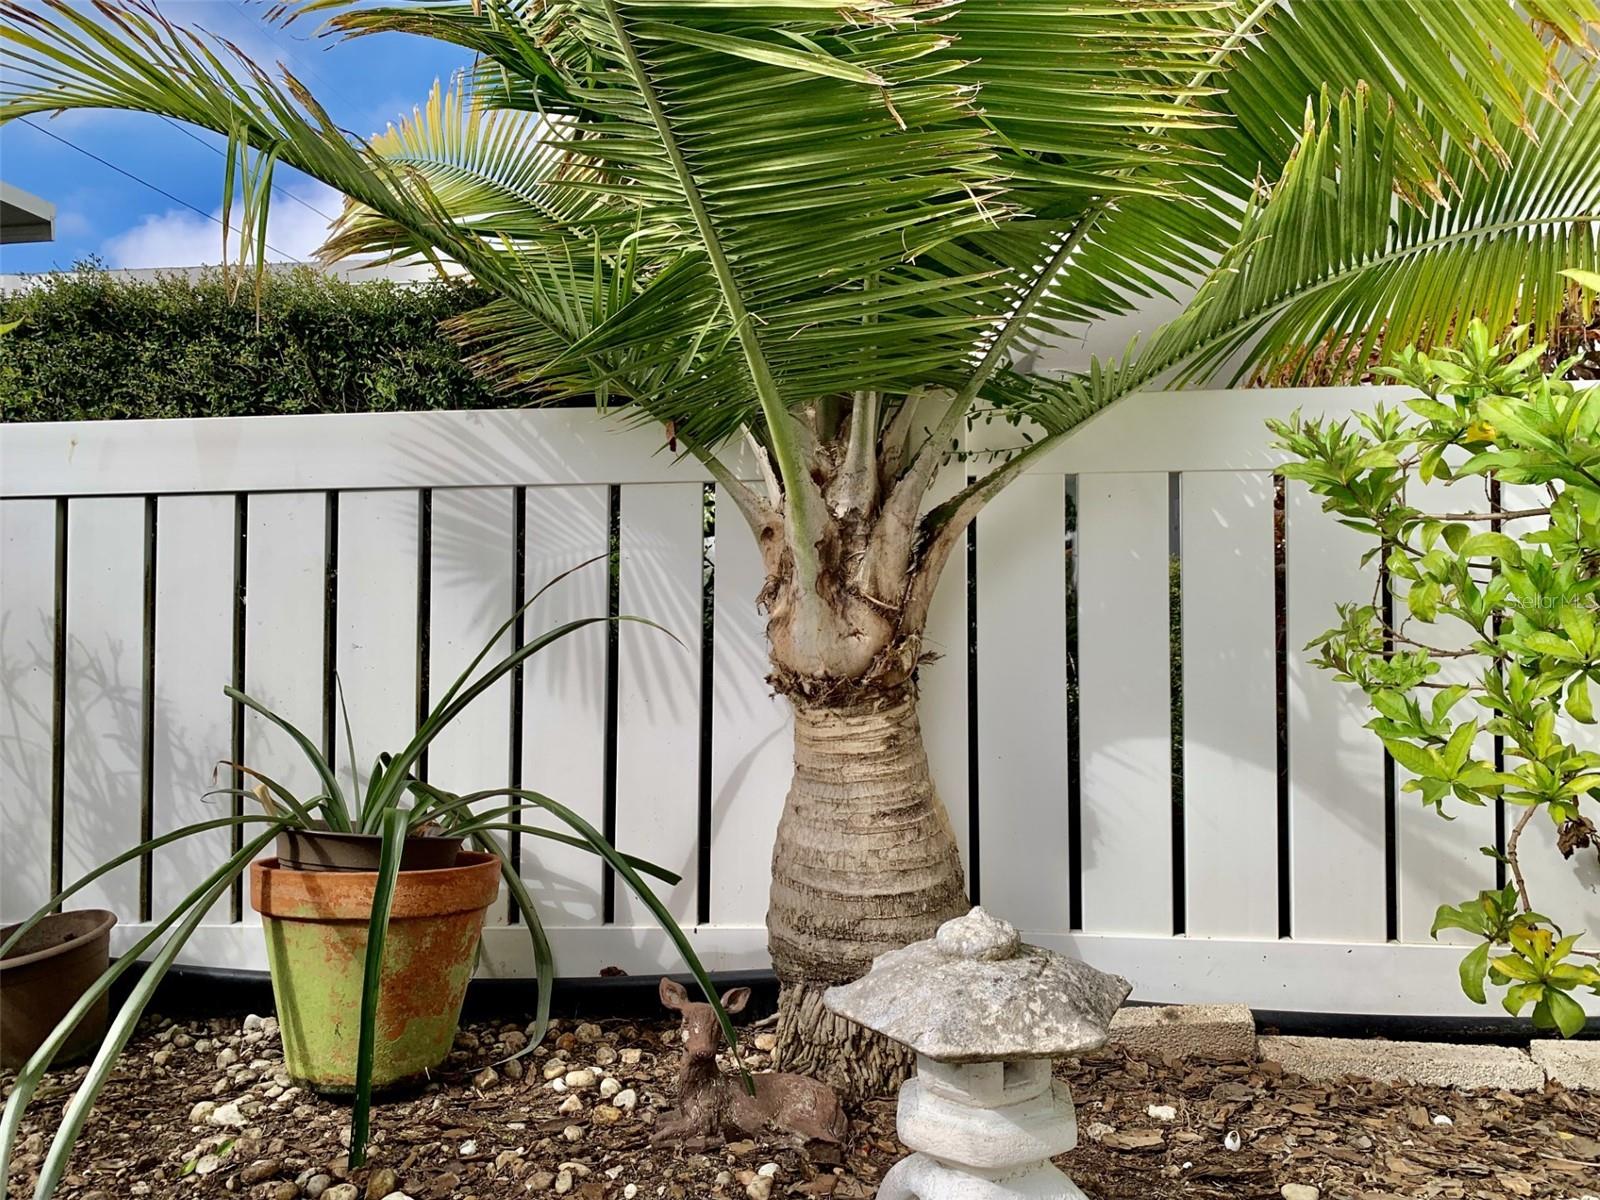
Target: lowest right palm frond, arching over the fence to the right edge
{"type": "Point", "coordinates": [1332, 254]}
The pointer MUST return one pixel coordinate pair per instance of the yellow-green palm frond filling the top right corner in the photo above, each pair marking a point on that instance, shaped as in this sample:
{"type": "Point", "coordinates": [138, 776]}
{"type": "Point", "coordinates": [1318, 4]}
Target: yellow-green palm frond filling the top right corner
{"type": "Point", "coordinates": [1465, 84]}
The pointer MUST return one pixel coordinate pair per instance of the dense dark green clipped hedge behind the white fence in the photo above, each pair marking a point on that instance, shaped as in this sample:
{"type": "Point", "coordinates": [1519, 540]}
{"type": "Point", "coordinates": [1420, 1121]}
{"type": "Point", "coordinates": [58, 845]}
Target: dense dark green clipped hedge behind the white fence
{"type": "Point", "coordinates": [94, 346]}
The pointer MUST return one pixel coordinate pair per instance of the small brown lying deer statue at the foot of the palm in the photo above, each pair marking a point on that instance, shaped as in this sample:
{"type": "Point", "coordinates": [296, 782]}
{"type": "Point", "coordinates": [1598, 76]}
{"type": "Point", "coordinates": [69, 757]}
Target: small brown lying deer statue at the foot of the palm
{"type": "Point", "coordinates": [714, 1106]}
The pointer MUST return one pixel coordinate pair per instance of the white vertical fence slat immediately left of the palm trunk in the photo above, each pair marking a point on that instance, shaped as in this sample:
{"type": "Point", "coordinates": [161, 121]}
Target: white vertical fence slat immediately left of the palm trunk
{"type": "Point", "coordinates": [753, 750]}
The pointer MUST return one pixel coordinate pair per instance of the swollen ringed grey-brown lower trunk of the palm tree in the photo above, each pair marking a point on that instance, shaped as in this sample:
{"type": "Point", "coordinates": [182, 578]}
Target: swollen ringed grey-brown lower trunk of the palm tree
{"type": "Point", "coordinates": [865, 863]}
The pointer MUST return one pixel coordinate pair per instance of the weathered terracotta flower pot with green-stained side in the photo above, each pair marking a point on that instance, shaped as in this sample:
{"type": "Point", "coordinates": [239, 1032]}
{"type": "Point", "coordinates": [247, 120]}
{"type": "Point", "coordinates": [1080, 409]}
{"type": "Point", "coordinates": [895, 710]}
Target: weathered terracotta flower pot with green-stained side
{"type": "Point", "coordinates": [316, 927]}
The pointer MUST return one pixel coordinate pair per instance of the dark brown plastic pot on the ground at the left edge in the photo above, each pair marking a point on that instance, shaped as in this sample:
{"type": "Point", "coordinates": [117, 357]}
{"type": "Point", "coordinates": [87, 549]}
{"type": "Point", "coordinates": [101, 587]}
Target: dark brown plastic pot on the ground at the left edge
{"type": "Point", "coordinates": [44, 975]}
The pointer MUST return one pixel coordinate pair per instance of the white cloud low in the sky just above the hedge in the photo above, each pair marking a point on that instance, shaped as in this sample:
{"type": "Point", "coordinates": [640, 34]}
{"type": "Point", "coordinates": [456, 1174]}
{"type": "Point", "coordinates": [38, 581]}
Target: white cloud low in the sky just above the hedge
{"type": "Point", "coordinates": [183, 239]}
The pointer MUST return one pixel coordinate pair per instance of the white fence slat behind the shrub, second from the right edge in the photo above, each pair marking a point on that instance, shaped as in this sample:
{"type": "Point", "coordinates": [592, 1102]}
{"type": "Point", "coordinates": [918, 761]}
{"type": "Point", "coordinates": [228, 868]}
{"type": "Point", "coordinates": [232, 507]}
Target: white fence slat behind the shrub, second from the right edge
{"type": "Point", "coordinates": [1439, 862]}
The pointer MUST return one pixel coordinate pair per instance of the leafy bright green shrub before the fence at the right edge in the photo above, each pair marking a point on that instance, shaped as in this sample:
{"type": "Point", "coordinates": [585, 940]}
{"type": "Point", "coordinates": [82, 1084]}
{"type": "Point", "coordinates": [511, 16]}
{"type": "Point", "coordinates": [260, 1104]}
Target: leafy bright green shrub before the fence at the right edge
{"type": "Point", "coordinates": [1482, 678]}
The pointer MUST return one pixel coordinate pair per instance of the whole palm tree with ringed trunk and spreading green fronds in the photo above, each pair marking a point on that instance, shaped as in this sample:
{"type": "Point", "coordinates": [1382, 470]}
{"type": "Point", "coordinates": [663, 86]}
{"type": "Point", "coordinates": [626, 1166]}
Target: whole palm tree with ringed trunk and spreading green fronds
{"type": "Point", "coordinates": [831, 230]}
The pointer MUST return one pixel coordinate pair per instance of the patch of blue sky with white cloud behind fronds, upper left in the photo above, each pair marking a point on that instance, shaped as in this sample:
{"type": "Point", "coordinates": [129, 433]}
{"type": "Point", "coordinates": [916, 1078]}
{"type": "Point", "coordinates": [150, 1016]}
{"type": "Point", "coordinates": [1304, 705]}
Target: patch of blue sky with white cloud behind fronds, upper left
{"type": "Point", "coordinates": [364, 84]}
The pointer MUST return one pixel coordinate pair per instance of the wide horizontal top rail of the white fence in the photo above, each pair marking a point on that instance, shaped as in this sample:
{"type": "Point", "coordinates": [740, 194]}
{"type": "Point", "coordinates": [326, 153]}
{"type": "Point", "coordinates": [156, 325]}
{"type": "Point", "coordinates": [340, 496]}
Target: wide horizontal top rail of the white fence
{"type": "Point", "coordinates": [553, 447]}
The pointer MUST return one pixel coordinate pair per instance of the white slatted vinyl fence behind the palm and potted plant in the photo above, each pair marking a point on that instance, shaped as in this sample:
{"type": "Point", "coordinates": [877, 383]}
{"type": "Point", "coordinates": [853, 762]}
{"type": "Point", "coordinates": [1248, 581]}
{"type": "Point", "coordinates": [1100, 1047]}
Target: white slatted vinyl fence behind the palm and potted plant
{"type": "Point", "coordinates": [148, 564]}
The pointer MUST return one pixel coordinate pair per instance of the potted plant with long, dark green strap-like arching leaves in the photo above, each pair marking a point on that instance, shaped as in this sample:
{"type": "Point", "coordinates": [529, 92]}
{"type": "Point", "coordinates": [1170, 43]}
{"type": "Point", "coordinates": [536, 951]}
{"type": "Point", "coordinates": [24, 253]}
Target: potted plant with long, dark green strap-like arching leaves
{"type": "Point", "coordinates": [396, 806]}
